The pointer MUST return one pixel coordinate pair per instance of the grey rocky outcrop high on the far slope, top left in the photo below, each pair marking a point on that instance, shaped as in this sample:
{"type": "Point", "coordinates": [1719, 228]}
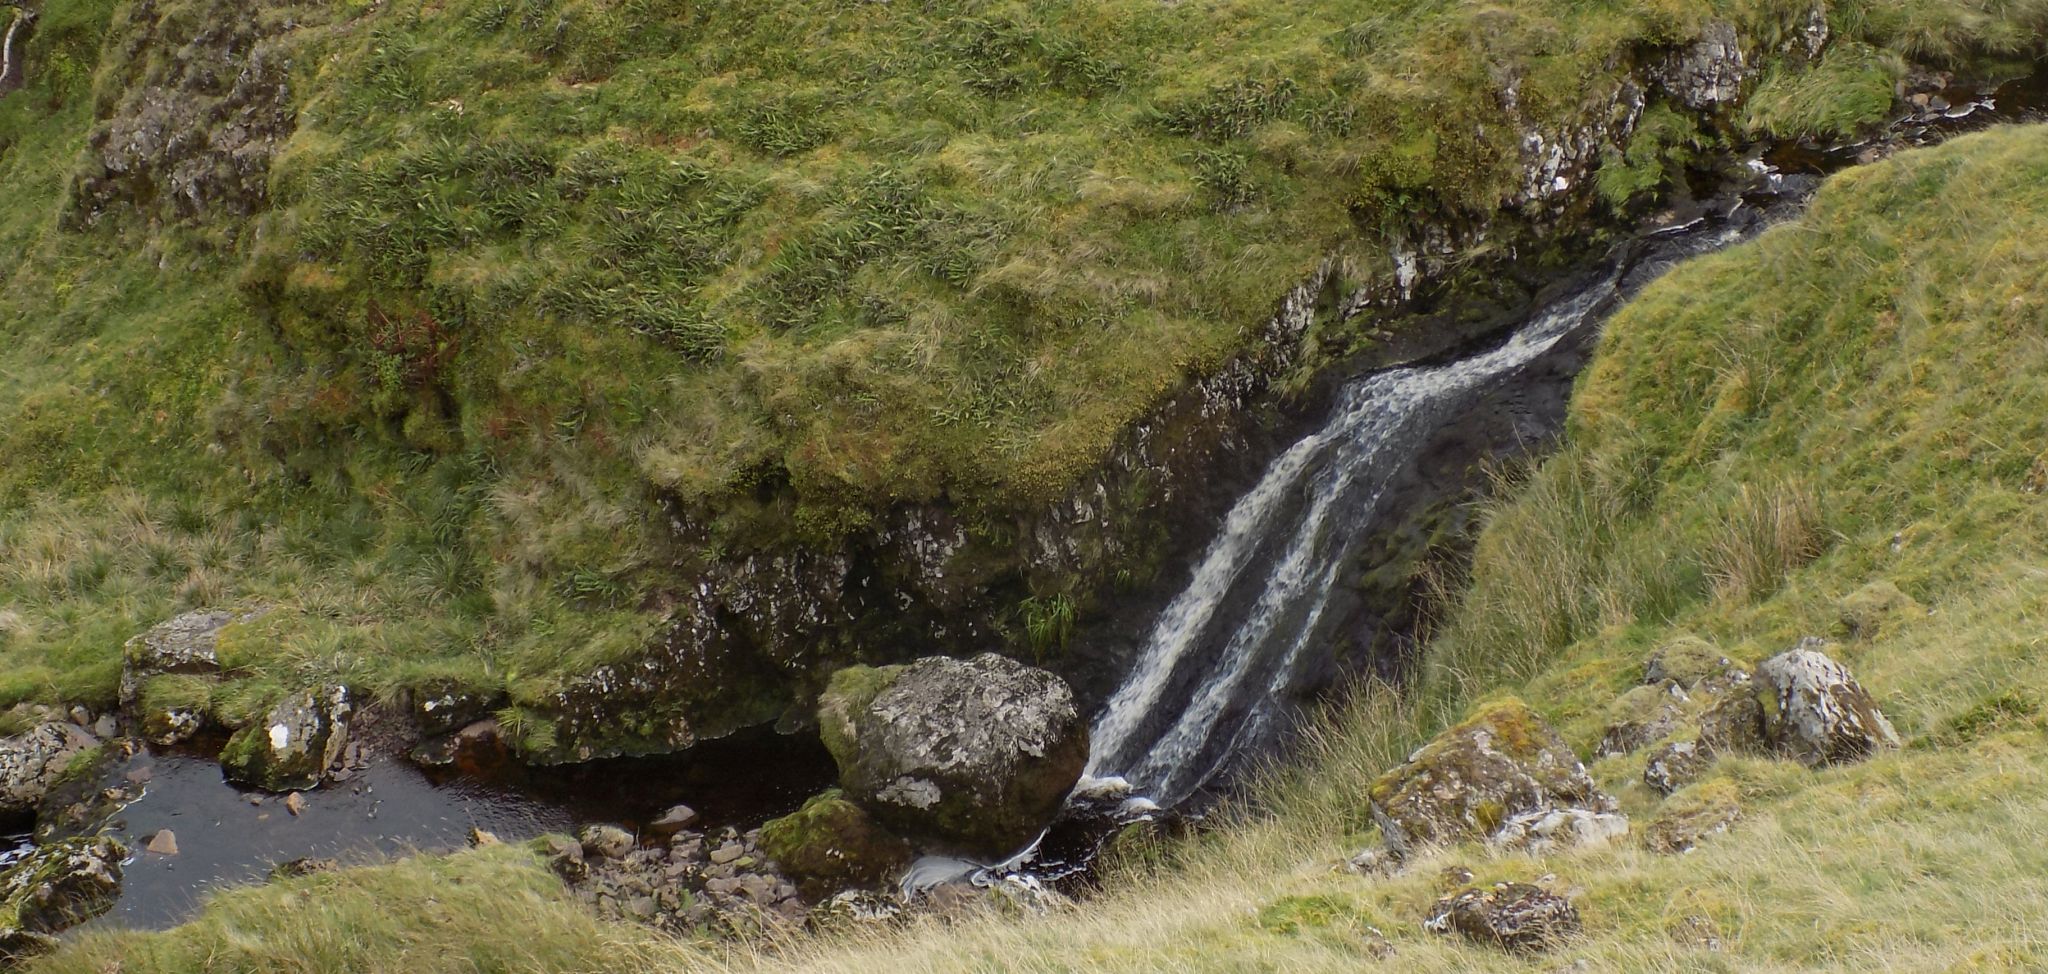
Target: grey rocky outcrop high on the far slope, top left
{"type": "Point", "coordinates": [204, 105]}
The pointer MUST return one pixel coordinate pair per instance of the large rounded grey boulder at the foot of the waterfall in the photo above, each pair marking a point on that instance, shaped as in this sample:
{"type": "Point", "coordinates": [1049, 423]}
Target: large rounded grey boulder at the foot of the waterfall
{"type": "Point", "coordinates": [974, 756]}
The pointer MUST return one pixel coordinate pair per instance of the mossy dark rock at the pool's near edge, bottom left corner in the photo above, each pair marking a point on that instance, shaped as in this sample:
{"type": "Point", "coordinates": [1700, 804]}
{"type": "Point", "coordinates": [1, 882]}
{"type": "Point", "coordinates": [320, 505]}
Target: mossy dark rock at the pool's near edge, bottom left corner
{"type": "Point", "coordinates": [58, 887]}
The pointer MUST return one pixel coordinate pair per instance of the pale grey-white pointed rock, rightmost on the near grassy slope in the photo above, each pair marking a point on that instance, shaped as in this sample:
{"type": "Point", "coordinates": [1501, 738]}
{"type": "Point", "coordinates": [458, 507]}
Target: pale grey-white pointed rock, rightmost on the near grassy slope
{"type": "Point", "coordinates": [1824, 715]}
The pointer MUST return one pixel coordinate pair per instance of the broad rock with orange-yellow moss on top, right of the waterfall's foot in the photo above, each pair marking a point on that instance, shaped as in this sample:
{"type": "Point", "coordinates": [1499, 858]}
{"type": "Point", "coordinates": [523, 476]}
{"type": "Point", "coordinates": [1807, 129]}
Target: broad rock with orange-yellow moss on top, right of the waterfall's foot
{"type": "Point", "coordinates": [1500, 764]}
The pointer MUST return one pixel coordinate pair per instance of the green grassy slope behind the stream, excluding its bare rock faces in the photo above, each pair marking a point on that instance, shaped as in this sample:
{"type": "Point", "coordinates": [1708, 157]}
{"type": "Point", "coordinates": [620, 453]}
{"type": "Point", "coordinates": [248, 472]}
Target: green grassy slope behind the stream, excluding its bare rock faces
{"type": "Point", "coordinates": [679, 257]}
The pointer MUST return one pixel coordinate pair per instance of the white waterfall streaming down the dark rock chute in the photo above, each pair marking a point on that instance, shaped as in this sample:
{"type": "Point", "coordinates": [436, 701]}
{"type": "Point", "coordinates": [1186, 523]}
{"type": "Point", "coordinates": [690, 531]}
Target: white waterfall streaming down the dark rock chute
{"type": "Point", "coordinates": [1230, 650]}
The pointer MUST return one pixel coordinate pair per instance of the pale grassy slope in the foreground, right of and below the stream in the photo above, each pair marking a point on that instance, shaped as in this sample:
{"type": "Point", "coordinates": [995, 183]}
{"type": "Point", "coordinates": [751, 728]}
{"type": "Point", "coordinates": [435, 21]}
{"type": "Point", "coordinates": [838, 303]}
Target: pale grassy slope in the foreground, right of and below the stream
{"type": "Point", "coordinates": [1852, 398]}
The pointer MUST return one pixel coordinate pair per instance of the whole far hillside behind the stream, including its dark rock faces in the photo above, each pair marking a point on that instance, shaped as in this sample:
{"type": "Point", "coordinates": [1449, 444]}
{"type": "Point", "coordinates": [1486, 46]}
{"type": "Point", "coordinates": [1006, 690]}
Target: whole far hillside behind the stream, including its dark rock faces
{"type": "Point", "coordinates": [497, 345]}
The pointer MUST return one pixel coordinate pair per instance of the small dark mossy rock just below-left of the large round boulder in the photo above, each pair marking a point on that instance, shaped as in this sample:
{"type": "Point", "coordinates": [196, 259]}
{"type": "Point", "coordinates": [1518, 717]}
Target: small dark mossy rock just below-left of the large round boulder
{"type": "Point", "coordinates": [833, 844]}
